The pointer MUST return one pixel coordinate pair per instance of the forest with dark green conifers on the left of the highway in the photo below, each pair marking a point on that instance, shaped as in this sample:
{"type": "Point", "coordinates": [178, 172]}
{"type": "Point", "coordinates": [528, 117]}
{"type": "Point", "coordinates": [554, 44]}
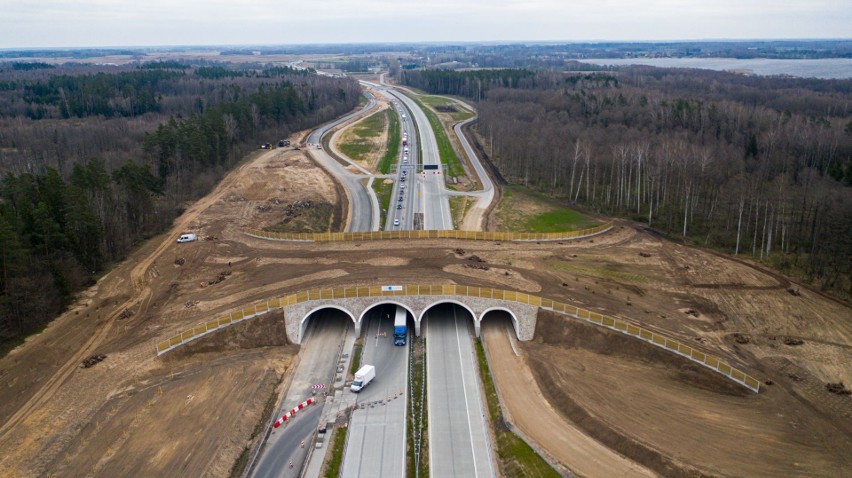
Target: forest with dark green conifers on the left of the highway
{"type": "Point", "coordinates": [95, 159]}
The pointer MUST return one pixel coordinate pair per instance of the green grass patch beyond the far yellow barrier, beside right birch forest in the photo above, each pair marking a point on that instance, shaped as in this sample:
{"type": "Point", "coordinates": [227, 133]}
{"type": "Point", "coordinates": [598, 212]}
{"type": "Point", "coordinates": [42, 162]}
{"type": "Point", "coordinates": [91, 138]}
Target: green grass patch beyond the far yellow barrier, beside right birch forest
{"type": "Point", "coordinates": [523, 210]}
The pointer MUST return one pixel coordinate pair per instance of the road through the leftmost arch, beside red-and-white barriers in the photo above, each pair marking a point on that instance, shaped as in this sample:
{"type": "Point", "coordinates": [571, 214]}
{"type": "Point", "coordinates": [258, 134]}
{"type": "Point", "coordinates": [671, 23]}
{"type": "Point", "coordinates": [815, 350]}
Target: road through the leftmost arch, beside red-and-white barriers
{"type": "Point", "coordinates": [317, 362]}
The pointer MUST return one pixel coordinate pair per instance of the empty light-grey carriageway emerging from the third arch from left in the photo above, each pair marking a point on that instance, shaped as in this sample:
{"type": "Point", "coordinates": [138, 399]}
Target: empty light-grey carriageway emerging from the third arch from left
{"type": "Point", "coordinates": [458, 440]}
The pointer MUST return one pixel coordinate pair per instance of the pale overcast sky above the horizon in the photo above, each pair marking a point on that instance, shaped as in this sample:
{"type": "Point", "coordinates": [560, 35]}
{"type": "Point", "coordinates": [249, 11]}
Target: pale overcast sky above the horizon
{"type": "Point", "coordinates": [75, 23]}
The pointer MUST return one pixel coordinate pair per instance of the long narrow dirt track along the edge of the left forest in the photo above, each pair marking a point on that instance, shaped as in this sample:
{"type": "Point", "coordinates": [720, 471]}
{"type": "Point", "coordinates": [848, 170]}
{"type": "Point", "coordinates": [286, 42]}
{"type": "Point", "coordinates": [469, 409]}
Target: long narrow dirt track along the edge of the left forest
{"type": "Point", "coordinates": [140, 294]}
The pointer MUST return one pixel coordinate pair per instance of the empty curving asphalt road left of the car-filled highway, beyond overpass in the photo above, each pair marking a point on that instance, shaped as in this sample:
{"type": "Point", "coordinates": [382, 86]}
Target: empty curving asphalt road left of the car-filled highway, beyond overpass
{"type": "Point", "coordinates": [360, 206]}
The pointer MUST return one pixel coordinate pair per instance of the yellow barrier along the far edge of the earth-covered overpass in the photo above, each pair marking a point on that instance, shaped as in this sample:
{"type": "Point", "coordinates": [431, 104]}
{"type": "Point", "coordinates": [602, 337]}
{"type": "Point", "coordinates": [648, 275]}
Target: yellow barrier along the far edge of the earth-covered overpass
{"type": "Point", "coordinates": [431, 234]}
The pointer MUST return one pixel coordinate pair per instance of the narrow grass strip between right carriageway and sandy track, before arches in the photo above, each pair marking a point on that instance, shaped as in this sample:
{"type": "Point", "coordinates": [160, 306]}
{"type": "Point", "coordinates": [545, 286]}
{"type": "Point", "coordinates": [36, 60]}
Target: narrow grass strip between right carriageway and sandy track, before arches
{"type": "Point", "coordinates": [516, 457]}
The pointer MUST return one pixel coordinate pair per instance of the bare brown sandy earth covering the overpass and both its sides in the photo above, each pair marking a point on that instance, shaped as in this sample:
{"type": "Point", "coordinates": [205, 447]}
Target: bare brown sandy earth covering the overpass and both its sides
{"type": "Point", "coordinates": [193, 412]}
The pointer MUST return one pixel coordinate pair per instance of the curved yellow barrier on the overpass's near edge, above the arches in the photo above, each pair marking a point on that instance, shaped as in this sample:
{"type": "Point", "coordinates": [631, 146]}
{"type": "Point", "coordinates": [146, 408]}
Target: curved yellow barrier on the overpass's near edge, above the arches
{"type": "Point", "coordinates": [612, 323]}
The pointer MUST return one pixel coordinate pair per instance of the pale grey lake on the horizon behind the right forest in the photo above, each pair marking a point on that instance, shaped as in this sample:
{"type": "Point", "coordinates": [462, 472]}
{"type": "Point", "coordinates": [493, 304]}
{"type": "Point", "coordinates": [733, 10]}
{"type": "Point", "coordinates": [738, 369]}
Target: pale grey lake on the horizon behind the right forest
{"type": "Point", "coordinates": [829, 68]}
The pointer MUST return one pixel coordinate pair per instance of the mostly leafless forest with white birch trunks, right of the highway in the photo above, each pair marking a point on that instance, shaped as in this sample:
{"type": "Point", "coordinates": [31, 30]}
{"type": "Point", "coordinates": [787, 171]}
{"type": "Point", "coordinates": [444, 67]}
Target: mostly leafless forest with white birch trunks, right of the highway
{"type": "Point", "coordinates": [754, 166]}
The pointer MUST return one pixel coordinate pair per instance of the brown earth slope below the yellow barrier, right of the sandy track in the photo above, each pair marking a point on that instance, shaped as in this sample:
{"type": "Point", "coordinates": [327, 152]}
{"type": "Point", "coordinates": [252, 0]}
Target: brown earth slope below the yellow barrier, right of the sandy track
{"type": "Point", "coordinates": [673, 416]}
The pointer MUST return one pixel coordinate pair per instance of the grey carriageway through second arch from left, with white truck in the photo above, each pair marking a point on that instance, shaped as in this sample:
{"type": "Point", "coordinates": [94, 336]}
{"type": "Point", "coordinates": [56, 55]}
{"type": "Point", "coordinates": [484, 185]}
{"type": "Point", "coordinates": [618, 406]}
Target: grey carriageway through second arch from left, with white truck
{"type": "Point", "coordinates": [376, 443]}
